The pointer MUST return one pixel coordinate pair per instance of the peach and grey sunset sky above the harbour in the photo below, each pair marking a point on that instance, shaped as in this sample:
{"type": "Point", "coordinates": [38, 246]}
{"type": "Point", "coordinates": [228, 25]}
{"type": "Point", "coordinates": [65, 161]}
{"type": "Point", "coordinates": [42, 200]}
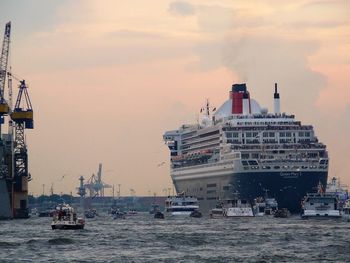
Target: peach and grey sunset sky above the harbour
{"type": "Point", "coordinates": [107, 78]}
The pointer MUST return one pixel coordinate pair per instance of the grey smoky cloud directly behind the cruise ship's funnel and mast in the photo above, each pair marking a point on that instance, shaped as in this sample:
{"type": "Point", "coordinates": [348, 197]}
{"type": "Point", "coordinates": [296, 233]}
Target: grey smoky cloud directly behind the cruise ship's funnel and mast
{"type": "Point", "coordinates": [264, 60]}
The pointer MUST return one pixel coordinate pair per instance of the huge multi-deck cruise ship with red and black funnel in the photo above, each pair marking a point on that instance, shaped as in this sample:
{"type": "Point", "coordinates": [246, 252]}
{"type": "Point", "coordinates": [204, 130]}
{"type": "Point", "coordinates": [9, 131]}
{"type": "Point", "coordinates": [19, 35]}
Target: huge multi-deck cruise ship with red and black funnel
{"type": "Point", "coordinates": [243, 149]}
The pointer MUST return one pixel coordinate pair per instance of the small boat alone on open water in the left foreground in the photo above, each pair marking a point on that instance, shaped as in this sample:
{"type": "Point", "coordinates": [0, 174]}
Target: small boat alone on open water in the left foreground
{"type": "Point", "coordinates": [66, 218]}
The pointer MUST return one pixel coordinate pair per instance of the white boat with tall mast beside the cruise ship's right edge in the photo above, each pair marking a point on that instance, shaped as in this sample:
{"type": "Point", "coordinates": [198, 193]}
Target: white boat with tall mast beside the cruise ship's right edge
{"type": "Point", "coordinates": [320, 205]}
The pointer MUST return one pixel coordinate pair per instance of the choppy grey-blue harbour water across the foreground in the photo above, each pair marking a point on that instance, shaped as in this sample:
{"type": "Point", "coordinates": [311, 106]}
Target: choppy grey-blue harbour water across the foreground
{"type": "Point", "coordinates": [143, 239]}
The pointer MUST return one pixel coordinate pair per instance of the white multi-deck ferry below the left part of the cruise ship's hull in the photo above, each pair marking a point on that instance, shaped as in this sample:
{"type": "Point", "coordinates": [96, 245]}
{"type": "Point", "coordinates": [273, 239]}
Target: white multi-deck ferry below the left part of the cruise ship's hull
{"type": "Point", "coordinates": [181, 205]}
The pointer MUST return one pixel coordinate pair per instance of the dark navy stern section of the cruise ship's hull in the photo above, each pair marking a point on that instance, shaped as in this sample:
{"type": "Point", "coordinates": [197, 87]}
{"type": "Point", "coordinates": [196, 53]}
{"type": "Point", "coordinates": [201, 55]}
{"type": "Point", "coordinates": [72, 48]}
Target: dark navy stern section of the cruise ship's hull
{"type": "Point", "coordinates": [288, 188]}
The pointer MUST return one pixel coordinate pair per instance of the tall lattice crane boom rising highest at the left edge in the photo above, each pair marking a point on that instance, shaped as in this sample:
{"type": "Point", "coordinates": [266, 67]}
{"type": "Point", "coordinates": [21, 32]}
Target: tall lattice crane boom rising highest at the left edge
{"type": "Point", "coordinates": [4, 59]}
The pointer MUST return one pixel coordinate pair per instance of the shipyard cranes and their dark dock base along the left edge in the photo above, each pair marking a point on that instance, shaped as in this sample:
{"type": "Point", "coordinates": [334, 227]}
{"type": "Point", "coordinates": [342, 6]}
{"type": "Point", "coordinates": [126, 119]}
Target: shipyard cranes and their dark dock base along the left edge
{"type": "Point", "coordinates": [14, 120]}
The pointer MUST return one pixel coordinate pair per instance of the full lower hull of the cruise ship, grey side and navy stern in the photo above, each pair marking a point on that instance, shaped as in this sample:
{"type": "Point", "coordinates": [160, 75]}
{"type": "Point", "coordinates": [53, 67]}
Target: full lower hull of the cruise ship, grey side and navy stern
{"type": "Point", "coordinates": [288, 188]}
